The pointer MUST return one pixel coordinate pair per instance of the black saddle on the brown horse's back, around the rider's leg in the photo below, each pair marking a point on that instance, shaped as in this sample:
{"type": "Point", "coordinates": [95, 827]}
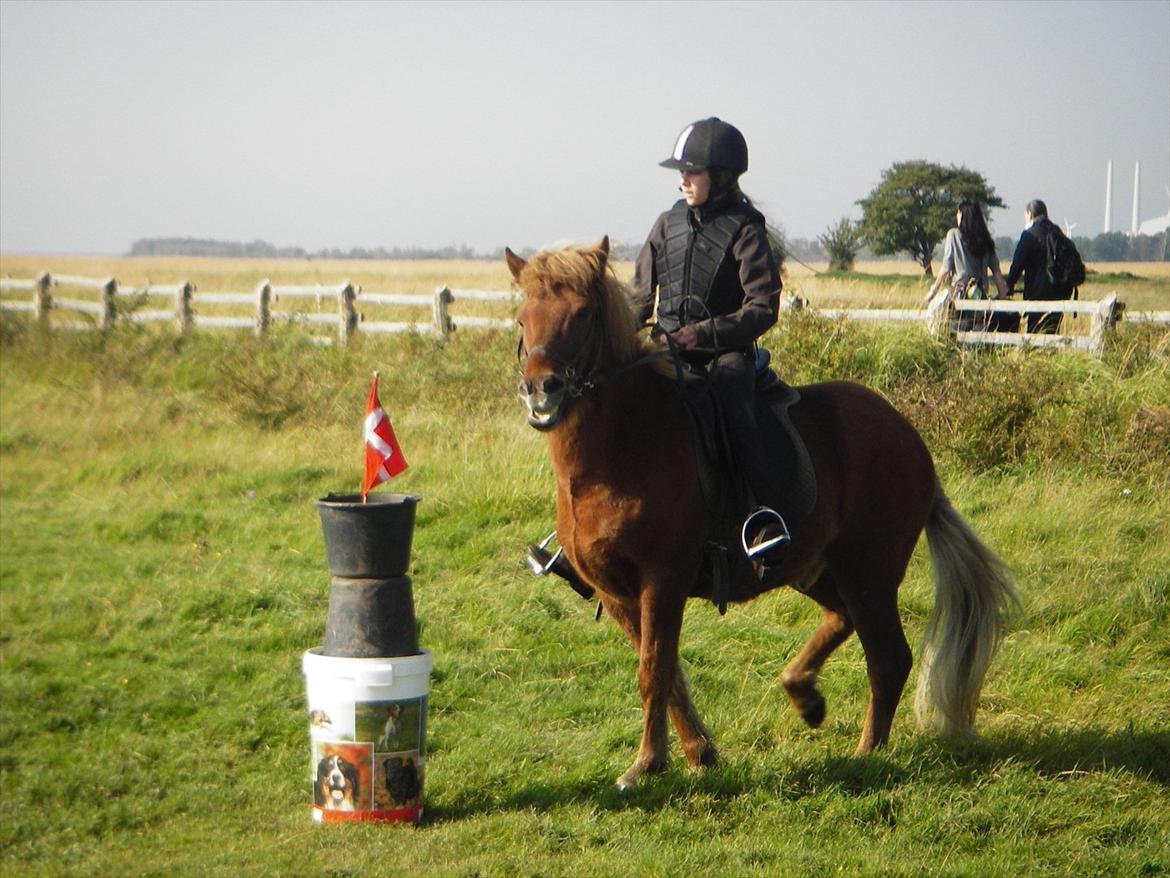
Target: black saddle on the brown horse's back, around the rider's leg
{"type": "Point", "coordinates": [722, 484]}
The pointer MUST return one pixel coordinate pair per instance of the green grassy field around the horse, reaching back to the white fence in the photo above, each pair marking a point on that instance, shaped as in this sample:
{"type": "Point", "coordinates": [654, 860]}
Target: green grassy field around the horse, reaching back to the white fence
{"type": "Point", "coordinates": [162, 571]}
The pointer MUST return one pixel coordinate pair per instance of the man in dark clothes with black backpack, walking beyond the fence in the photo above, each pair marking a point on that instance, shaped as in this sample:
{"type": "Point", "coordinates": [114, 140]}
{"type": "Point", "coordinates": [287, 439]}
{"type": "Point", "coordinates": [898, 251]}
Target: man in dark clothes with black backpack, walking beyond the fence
{"type": "Point", "coordinates": [1050, 264]}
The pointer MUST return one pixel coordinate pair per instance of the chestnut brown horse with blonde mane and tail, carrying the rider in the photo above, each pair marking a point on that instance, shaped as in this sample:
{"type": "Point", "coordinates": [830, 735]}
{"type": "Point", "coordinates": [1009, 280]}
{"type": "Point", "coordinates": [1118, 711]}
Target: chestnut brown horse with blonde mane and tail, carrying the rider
{"type": "Point", "coordinates": [632, 520]}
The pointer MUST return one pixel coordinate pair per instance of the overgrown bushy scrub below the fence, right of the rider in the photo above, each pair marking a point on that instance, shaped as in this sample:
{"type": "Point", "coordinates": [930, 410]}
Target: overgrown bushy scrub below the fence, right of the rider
{"type": "Point", "coordinates": [994, 409]}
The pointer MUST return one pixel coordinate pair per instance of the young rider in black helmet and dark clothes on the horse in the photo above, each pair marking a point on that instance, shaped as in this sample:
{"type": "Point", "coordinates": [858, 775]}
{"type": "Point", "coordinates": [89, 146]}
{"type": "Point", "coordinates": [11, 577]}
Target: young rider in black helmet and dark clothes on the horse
{"type": "Point", "coordinates": [710, 265]}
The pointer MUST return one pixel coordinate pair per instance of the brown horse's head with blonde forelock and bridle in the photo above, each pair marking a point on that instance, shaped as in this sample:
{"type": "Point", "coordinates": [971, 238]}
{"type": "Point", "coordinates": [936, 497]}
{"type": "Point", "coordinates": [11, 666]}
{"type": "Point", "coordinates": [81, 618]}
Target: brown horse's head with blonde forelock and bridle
{"type": "Point", "coordinates": [573, 317]}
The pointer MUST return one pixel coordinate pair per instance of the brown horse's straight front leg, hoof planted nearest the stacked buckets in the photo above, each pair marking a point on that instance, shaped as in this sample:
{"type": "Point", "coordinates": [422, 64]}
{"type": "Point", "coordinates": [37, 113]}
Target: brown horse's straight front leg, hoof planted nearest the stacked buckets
{"type": "Point", "coordinates": [660, 621]}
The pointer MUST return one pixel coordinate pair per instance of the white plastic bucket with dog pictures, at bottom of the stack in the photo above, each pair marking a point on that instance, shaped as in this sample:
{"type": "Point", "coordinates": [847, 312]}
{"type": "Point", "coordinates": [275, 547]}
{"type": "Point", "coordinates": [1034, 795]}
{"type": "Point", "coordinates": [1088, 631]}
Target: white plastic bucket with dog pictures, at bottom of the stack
{"type": "Point", "coordinates": [368, 722]}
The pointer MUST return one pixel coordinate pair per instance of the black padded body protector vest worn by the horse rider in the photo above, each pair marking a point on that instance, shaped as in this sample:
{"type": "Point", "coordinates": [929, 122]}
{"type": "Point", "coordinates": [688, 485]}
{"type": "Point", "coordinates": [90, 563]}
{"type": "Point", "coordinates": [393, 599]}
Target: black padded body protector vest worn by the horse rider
{"type": "Point", "coordinates": [690, 263]}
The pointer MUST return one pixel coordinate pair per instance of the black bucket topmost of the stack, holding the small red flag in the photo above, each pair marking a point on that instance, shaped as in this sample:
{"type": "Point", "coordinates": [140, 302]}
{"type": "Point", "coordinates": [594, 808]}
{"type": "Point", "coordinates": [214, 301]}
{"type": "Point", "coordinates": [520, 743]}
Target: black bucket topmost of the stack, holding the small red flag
{"type": "Point", "coordinates": [370, 540]}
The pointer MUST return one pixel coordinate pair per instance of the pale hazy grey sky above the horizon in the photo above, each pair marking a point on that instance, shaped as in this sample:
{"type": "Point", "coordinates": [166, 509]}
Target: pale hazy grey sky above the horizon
{"type": "Point", "coordinates": [350, 125]}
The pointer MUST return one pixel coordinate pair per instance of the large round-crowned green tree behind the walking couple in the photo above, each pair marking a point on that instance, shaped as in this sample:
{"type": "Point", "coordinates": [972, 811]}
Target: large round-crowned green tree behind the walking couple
{"type": "Point", "coordinates": [914, 205]}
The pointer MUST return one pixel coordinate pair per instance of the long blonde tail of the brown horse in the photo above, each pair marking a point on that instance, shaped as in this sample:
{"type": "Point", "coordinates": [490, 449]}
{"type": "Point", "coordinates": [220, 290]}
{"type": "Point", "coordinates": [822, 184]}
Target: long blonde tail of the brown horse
{"type": "Point", "coordinates": [974, 600]}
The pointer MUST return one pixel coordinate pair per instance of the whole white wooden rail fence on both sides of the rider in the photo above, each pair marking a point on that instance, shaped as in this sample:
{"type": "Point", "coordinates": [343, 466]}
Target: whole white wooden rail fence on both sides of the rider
{"type": "Point", "coordinates": [190, 308]}
